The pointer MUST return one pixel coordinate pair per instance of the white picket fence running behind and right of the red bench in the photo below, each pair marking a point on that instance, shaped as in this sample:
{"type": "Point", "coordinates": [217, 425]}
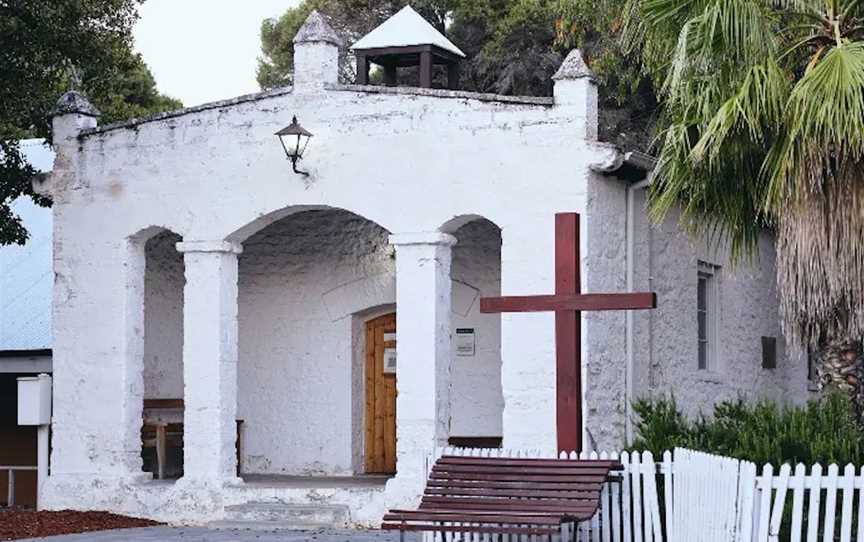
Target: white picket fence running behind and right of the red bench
{"type": "Point", "coordinates": [707, 498]}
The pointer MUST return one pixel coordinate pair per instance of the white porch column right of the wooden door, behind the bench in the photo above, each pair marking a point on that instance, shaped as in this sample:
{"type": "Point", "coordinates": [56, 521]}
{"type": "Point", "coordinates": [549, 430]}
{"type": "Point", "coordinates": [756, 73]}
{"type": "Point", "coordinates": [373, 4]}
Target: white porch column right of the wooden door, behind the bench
{"type": "Point", "coordinates": [423, 347]}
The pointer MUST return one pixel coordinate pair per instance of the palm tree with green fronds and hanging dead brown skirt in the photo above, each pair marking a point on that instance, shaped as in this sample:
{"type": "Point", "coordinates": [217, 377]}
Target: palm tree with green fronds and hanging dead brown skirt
{"type": "Point", "coordinates": [763, 127]}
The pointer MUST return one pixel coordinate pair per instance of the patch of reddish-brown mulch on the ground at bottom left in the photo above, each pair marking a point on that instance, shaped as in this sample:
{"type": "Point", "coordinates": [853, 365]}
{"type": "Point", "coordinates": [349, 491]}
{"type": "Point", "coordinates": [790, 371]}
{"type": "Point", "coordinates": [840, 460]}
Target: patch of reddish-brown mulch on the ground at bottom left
{"type": "Point", "coordinates": [16, 524]}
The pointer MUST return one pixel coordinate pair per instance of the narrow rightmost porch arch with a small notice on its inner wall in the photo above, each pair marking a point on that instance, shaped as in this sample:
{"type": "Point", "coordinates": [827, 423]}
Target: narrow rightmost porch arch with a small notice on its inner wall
{"type": "Point", "coordinates": [476, 397]}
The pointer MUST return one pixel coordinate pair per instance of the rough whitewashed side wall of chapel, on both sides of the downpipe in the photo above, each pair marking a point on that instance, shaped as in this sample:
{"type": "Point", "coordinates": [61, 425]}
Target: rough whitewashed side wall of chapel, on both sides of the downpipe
{"type": "Point", "coordinates": [665, 339]}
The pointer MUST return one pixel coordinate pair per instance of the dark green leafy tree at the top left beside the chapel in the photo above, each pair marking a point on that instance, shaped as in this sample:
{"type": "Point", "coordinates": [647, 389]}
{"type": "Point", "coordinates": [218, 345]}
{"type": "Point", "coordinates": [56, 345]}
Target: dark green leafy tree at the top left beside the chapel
{"type": "Point", "coordinates": [48, 47]}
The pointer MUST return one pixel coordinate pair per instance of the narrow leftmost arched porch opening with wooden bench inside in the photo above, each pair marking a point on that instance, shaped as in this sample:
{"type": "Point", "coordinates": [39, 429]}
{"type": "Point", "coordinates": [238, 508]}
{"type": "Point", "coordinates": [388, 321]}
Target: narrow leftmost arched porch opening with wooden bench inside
{"type": "Point", "coordinates": [162, 419]}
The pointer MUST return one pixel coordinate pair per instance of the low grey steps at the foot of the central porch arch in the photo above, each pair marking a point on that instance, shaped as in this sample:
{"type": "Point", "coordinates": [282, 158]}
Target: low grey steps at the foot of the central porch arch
{"type": "Point", "coordinates": [282, 516]}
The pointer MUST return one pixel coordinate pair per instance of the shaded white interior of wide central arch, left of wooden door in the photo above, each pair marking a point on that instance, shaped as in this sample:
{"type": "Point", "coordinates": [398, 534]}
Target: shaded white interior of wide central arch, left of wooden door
{"type": "Point", "coordinates": [308, 282]}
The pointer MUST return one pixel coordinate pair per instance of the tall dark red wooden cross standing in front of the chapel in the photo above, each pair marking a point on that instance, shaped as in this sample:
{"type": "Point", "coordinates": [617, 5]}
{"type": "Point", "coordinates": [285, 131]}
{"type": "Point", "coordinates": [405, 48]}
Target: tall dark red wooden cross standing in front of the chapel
{"type": "Point", "coordinates": [568, 304]}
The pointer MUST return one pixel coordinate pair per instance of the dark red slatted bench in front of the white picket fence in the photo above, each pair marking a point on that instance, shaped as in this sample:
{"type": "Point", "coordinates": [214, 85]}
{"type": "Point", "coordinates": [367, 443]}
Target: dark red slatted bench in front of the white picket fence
{"type": "Point", "coordinates": [505, 496]}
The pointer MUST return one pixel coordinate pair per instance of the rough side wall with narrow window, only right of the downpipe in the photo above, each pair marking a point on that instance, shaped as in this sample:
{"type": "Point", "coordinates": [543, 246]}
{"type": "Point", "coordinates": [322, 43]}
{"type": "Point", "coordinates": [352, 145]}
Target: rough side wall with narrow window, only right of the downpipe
{"type": "Point", "coordinates": [666, 345]}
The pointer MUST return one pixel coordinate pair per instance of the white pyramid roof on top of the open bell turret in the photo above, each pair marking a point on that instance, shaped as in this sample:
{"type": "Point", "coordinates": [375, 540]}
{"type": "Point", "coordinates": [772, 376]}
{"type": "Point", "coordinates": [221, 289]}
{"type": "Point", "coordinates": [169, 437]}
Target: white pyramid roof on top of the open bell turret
{"type": "Point", "coordinates": [406, 28]}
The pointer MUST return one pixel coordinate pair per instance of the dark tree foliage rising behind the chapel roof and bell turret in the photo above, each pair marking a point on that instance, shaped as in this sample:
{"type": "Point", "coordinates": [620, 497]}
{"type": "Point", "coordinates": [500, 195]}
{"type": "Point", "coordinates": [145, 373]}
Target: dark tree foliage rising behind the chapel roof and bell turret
{"type": "Point", "coordinates": [512, 47]}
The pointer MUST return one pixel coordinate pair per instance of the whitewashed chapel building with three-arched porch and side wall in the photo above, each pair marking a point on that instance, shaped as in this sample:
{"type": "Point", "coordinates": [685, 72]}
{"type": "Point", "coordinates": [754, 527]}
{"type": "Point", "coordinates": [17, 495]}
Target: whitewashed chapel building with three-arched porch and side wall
{"type": "Point", "coordinates": [248, 334]}
